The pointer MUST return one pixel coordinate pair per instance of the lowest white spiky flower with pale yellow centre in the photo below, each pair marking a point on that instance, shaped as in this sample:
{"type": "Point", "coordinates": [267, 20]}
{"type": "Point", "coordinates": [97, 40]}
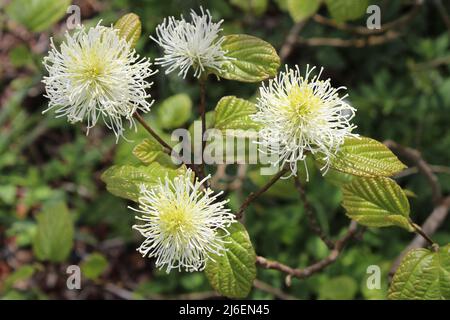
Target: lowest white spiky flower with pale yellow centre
{"type": "Point", "coordinates": [181, 223]}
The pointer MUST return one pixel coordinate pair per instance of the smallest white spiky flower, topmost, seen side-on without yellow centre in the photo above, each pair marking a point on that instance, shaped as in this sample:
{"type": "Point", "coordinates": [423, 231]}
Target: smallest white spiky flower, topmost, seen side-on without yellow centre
{"type": "Point", "coordinates": [195, 44]}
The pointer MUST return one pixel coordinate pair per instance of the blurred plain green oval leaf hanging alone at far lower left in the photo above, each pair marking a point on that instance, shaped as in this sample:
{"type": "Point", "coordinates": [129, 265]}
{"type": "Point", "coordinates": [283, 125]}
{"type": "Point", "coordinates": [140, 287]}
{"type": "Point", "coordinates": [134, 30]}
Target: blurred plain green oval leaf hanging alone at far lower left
{"type": "Point", "coordinates": [55, 231]}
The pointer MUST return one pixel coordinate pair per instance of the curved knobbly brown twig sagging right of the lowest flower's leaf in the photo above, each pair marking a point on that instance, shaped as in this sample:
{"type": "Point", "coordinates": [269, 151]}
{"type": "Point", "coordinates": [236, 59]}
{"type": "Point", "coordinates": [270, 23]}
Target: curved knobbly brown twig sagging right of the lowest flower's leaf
{"type": "Point", "coordinates": [316, 267]}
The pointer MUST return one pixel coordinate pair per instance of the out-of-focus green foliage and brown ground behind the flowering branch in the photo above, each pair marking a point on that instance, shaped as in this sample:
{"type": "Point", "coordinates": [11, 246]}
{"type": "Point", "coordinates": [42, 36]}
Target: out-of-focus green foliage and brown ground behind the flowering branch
{"type": "Point", "coordinates": [50, 170]}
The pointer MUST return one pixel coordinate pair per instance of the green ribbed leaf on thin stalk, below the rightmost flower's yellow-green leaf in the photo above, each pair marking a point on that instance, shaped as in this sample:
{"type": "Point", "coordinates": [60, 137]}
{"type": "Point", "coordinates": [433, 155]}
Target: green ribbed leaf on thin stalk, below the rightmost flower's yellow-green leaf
{"type": "Point", "coordinates": [376, 202]}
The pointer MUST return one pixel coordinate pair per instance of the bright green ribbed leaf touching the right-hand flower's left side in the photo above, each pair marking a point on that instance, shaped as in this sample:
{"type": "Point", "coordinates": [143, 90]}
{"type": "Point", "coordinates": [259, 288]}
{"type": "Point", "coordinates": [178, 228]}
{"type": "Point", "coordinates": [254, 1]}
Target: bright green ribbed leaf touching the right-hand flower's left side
{"type": "Point", "coordinates": [234, 113]}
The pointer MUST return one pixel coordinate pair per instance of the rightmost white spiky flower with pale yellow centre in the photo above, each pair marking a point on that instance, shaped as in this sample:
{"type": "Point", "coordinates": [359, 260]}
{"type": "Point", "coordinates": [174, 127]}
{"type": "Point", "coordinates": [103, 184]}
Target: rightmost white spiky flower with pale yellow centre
{"type": "Point", "coordinates": [300, 115]}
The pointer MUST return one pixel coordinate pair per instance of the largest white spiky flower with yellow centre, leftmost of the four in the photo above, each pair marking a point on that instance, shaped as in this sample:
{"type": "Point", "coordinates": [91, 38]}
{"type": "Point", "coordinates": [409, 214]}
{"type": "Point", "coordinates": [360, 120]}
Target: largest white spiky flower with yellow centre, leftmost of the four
{"type": "Point", "coordinates": [97, 74]}
